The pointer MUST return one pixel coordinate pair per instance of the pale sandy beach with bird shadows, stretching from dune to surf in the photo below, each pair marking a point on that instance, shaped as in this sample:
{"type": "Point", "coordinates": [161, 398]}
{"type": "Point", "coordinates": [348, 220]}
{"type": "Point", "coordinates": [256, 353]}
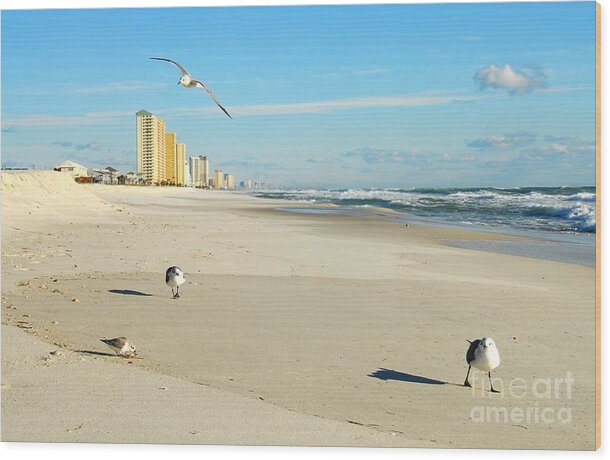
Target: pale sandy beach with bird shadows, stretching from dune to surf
{"type": "Point", "coordinates": [292, 329]}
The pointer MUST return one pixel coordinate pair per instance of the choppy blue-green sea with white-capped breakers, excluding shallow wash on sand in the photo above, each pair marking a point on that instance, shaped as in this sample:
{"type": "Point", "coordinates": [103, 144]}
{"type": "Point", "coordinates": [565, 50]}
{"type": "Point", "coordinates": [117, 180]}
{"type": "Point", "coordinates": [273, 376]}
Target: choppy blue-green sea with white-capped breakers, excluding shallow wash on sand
{"type": "Point", "coordinates": [561, 209]}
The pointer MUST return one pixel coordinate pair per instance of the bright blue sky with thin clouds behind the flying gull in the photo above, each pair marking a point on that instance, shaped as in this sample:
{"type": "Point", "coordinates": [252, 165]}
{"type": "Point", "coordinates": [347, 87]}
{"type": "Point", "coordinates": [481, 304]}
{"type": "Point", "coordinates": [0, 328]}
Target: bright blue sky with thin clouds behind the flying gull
{"type": "Point", "coordinates": [322, 96]}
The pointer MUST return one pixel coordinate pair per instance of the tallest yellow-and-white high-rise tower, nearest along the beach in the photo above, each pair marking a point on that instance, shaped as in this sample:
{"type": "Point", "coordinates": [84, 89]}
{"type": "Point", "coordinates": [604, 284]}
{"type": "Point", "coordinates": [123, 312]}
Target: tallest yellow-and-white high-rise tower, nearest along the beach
{"type": "Point", "coordinates": [150, 147]}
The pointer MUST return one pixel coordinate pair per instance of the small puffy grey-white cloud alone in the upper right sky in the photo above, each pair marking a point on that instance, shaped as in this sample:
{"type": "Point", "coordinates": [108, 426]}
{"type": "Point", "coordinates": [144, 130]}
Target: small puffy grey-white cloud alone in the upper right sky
{"type": "Point", "coordinates": [515, 82]}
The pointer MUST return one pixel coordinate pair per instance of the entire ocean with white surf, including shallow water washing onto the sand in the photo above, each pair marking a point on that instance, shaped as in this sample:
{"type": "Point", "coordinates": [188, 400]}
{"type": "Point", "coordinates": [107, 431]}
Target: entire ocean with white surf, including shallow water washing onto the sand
{"type": "Point", "coordinates": [562, 219]}
